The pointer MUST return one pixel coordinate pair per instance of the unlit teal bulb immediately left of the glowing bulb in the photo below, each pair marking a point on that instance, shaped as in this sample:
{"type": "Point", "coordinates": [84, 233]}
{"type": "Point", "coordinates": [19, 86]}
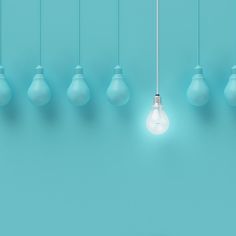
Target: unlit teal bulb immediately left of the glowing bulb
{"type": "Point", "coordinates": [118, 92]}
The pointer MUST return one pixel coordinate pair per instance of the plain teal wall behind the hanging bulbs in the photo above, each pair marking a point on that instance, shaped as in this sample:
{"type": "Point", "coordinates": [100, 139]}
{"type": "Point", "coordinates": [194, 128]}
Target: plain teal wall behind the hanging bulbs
{"type": "Point", "coordinates": [96, 170]}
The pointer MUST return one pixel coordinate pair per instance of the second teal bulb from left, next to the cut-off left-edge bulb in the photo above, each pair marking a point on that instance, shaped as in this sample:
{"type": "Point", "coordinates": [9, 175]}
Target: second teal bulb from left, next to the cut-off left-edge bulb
{"type": "Point", "coordinates": [39, 92]}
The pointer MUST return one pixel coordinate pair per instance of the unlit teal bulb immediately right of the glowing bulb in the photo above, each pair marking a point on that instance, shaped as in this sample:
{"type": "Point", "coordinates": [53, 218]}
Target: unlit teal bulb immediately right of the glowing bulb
{"type": "Point", "coordinates": [198, 91]}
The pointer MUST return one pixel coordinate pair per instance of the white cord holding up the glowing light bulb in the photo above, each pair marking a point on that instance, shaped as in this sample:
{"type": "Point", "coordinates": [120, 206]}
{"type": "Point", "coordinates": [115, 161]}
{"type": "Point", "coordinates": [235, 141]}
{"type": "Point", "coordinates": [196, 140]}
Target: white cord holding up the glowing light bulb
{"type": "Point", "coordinates": [157, 46]}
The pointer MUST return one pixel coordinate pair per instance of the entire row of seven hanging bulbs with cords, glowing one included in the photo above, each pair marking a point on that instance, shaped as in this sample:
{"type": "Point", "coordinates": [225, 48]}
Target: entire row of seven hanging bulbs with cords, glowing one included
{"type": "Point", "coordinates": [118, 92]}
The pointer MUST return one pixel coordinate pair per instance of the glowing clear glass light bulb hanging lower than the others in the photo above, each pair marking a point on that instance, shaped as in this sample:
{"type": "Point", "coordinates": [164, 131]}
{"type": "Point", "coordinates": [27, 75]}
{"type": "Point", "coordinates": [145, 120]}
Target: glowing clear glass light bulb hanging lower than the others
{"type": "Point", "coordinates": [157, 121]}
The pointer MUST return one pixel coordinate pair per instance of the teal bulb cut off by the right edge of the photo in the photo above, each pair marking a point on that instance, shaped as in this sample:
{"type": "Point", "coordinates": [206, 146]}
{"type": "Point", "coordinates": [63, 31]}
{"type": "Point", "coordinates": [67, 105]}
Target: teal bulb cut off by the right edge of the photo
{"type": "Point", "coordinates": [230, 89]}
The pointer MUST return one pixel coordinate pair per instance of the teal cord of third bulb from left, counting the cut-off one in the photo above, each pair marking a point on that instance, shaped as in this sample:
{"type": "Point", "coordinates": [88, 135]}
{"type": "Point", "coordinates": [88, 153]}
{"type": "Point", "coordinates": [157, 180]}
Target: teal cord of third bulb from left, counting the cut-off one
{"type": "Point", "coordinates": [78, 31]}
